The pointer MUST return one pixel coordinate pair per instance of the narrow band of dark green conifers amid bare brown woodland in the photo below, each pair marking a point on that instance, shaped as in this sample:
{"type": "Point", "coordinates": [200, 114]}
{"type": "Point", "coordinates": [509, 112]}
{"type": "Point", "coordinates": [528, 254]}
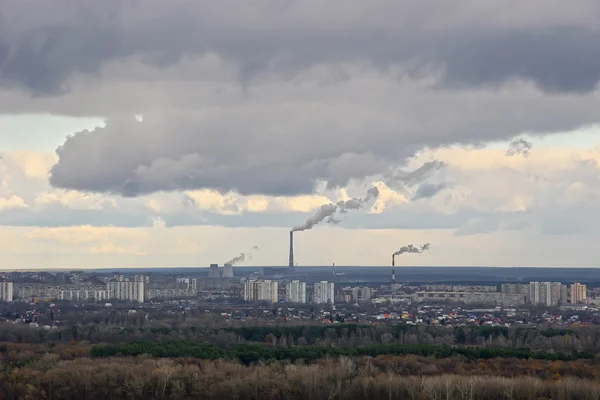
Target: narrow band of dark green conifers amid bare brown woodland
{"type": "Point", "coordinates": [252, 353]}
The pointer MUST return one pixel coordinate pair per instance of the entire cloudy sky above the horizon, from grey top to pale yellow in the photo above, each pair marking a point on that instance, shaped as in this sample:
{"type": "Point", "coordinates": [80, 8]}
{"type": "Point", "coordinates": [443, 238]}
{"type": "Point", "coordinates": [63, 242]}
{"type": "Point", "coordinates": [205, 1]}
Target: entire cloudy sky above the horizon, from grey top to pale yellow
{"type": "Point", "coordinates": [136, 134]}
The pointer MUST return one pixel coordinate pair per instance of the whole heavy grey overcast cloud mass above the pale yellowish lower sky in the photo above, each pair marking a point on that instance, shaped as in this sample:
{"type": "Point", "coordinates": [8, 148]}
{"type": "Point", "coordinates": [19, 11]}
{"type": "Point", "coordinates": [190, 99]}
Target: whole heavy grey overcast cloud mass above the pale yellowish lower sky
{"type": "Point", "coordinates": [270, 97]}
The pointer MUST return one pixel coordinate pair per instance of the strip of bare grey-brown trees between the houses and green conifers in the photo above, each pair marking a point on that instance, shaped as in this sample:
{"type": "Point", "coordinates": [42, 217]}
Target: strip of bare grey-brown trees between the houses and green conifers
{"type": "Point", "coordinates": [339, 335]}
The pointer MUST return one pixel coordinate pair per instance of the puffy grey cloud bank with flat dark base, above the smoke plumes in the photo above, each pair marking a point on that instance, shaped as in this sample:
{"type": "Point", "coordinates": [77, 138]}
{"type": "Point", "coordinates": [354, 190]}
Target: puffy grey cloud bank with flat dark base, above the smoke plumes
{"type": "Point", "coordinates": [130, 158]}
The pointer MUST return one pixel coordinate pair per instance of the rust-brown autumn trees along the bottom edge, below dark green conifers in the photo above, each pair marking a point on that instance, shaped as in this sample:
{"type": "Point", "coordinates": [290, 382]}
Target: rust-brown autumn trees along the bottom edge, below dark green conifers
{"type": "Point", "coordinates": [342, 378]}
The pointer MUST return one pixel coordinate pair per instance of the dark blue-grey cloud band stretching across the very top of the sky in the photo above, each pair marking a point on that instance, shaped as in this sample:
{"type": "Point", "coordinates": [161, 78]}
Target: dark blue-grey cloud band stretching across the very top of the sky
{"type": "Point", "coordinates": [556, 48]}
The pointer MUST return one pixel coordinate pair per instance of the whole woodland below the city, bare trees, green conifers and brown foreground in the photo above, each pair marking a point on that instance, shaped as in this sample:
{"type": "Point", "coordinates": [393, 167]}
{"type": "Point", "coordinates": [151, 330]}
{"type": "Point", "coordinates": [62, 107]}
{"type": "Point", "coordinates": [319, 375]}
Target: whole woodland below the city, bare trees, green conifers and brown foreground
{"type": "Point", "coordinates": [122, 355]}
